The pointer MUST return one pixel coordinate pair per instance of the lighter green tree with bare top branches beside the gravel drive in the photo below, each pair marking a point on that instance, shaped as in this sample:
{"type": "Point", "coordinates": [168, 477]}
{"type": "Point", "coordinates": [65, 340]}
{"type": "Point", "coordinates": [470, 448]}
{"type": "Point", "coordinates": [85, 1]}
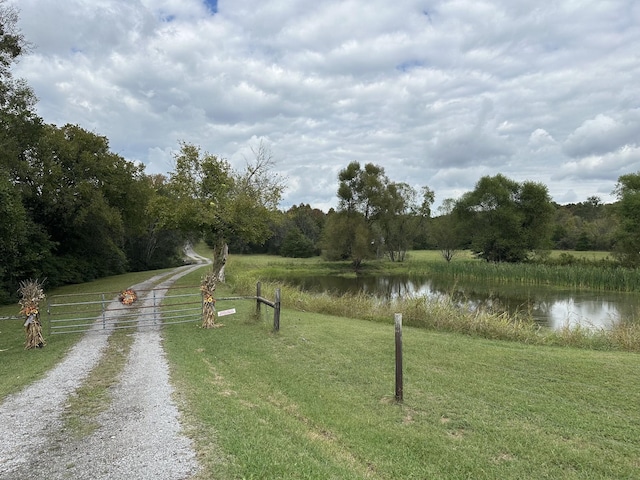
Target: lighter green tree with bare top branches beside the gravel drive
{"type": "Point", "coordinates": [206, 197]}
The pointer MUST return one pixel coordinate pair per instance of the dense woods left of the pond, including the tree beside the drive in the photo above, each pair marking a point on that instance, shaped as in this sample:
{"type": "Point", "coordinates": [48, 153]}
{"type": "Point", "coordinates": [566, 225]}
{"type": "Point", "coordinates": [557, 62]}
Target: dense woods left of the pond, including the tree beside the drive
{"type": "Point", "coordinates": [71, 210]}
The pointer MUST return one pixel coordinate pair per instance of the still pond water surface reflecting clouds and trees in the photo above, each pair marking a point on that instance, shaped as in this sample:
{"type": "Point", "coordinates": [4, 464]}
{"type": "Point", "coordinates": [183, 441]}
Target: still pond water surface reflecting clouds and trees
{"type": "Point", "coordinates": [550, 307]}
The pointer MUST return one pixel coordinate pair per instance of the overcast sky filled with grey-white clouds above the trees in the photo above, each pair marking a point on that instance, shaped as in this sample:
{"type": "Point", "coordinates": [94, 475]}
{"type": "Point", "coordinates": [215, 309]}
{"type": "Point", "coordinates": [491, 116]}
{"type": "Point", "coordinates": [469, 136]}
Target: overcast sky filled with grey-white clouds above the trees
{"type": "Point", "coordinates": [438, 92]}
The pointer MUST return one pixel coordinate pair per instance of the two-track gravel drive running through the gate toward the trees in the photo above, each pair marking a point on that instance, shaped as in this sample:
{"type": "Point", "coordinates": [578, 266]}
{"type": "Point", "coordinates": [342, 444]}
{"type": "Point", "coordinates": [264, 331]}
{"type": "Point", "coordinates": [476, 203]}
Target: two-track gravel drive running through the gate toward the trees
{"type": "Point", "coordinates": [139, 435]}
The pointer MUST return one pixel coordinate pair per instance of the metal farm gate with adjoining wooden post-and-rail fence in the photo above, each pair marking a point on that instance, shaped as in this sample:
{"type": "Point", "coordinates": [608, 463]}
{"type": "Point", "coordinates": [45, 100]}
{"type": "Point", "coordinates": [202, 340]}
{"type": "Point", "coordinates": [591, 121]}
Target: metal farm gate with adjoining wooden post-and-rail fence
{"type": "Point", "coordinates": [104, 312]}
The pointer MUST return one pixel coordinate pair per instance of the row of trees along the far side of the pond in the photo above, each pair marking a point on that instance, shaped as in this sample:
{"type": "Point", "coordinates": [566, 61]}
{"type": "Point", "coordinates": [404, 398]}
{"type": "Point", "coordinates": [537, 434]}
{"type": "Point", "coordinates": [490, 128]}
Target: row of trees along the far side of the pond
{"type": "Point", "coordinates": [500, 220]}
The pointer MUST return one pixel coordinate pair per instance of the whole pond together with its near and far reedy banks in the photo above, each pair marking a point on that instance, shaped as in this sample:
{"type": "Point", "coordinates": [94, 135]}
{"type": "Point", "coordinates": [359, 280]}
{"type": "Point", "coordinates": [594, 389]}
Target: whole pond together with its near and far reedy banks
{"type": "Point", "coordinates": [590, 305]}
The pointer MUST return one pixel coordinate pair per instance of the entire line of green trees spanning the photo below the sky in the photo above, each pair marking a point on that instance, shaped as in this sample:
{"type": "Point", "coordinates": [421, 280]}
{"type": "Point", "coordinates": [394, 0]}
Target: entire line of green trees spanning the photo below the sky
{"type": "Point", "coordinates": [71, 210]}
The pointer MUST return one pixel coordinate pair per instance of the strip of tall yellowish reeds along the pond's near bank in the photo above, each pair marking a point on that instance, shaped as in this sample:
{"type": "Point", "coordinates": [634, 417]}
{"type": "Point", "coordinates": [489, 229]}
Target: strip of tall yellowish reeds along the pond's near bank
{"type": "Point", "coordinates": [446, 315]}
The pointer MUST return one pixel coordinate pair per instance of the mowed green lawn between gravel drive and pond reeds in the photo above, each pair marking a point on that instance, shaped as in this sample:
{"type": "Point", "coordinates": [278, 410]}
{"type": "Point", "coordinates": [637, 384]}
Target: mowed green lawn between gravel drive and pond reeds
{"type": "Point", "coordinates": [316, 400]}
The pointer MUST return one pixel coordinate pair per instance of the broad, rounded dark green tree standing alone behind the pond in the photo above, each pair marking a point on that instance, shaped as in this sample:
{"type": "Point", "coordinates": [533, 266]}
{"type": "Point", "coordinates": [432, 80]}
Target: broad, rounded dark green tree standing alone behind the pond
{"type": "Point", "coordinates": [504, 219]}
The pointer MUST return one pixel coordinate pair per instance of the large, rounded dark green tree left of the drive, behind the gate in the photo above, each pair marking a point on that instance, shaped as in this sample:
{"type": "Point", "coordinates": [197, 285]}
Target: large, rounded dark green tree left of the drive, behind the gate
{"type": "Point", "coordinates": [84, 196]}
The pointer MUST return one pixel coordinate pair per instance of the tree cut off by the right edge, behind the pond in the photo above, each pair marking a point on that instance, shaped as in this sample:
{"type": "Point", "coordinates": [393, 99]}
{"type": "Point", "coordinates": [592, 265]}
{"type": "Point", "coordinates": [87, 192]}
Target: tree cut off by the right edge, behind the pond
{"type": "Point", "coordinates": [627, 246]}
